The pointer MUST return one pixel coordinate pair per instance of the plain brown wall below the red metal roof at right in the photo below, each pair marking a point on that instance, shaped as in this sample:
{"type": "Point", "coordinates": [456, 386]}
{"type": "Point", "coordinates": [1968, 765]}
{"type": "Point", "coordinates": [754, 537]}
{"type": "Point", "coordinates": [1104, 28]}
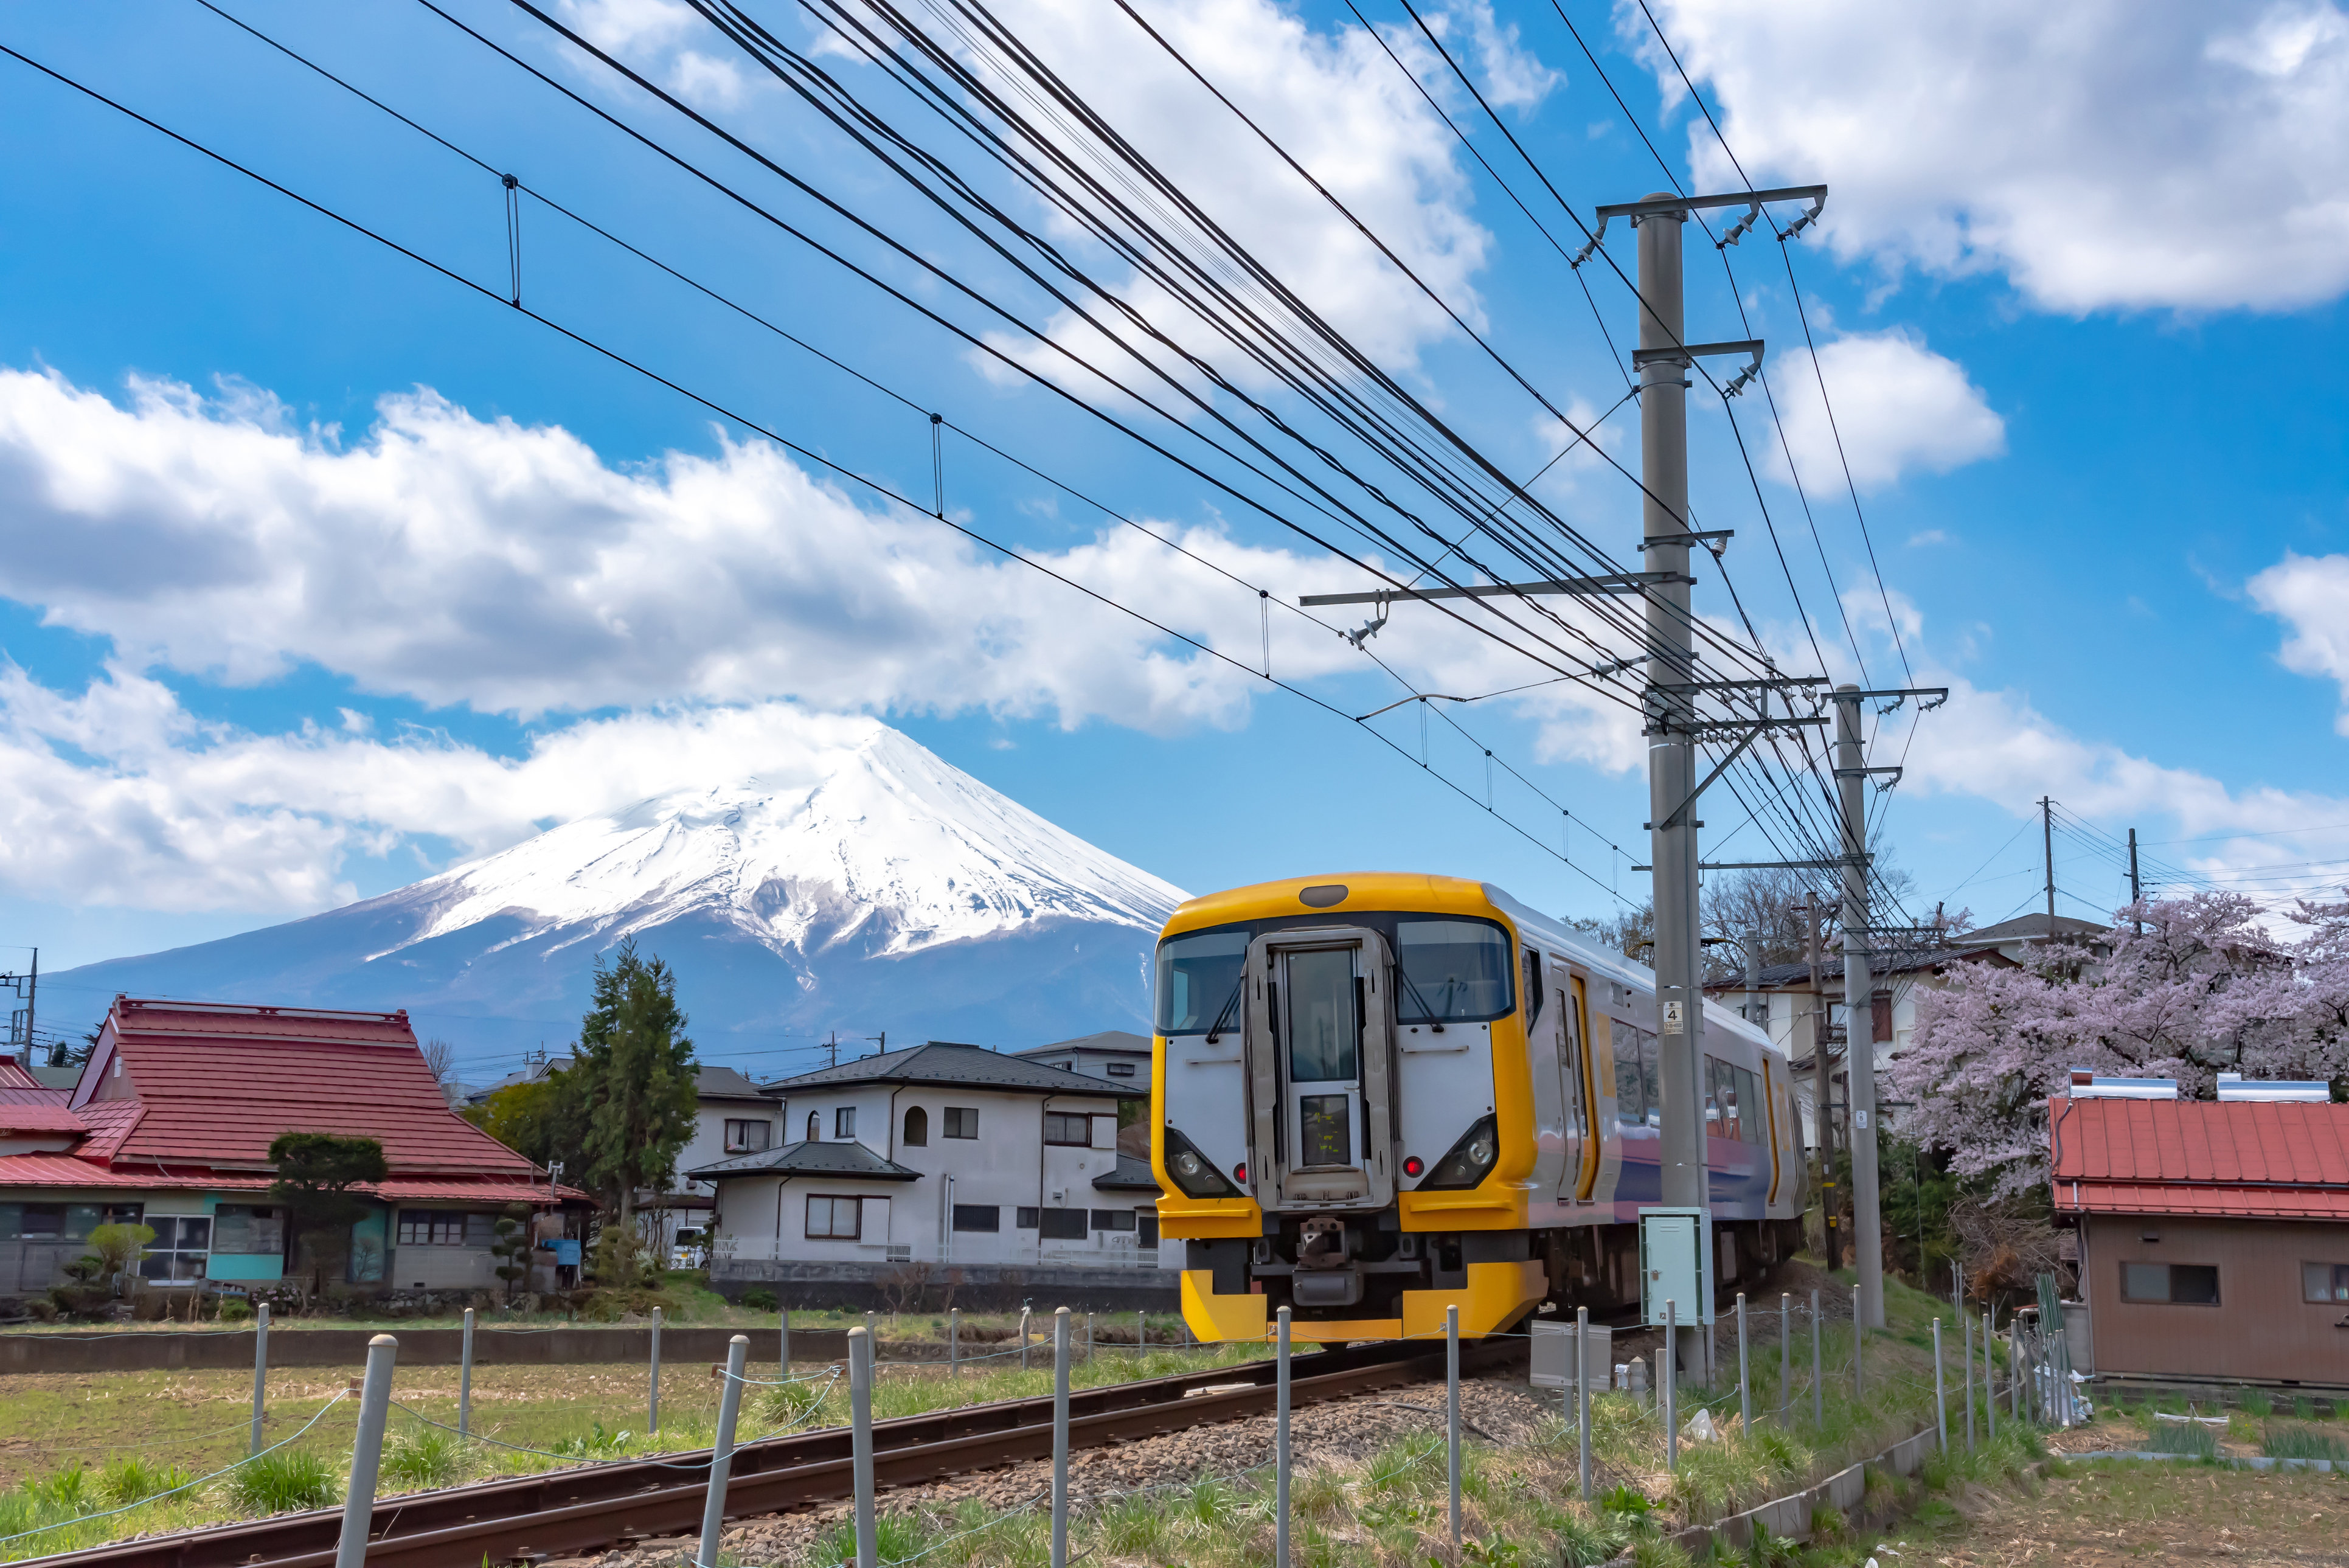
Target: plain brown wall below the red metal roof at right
{"type": "Point", "coordinates": [2259, 1332]}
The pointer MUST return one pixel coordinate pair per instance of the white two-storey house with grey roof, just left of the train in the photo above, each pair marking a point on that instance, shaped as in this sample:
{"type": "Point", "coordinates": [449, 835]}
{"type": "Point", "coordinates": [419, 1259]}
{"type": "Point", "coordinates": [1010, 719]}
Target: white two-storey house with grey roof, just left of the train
{"type": "Point", "coordinates": [941, 1156]}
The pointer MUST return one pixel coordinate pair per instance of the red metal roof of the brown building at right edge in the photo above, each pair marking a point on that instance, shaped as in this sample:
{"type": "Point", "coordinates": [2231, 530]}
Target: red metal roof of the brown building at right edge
{"type": "Point", "coordinates": [2244, 1158]}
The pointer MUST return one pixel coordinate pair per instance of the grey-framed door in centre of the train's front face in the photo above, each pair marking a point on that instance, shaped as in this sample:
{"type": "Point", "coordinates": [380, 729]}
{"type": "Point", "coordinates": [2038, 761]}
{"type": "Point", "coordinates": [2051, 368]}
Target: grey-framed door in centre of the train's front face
{"type": "Point", "coordinates": [1321, 1062]}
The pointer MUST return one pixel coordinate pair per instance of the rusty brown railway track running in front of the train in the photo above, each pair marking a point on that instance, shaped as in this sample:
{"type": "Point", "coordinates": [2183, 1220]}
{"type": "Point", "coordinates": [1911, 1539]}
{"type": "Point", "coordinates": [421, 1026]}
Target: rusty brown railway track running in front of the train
{"type": "Point", "coordinates": [525, 1520]}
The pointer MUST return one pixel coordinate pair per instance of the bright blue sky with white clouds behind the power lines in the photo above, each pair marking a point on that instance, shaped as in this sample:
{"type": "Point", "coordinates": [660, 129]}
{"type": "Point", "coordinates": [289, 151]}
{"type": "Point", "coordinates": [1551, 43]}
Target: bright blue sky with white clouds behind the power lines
{"type": "Point", "coordinates": [314, 550]}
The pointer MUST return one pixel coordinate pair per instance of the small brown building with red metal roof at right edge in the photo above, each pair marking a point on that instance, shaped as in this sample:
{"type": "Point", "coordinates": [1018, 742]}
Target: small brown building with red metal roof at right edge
{"type": "Point", "coordinates": [2214, 1236]}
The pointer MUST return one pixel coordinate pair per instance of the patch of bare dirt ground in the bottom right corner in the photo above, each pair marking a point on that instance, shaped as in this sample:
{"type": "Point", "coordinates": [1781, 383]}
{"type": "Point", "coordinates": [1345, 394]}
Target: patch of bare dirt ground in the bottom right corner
{"type": "Point", "coordinates": [2132, 1513]}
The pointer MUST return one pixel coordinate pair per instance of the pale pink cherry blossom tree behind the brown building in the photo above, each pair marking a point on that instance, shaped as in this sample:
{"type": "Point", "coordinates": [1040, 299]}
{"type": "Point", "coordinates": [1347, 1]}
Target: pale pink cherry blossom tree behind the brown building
{"type": "Point", "coordinates": [2202, 989]}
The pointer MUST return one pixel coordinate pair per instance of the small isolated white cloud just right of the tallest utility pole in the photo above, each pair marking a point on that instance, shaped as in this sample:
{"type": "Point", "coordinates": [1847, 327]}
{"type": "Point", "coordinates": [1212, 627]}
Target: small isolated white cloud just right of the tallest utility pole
{"type": "Point", "coordinates": [1899, 407]}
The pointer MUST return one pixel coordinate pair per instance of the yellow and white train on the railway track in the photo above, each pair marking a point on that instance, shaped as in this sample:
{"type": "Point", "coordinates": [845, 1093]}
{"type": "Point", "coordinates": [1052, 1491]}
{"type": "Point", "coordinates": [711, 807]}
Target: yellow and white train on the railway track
{"type": "Point", "coordinates": [1382, 1095]}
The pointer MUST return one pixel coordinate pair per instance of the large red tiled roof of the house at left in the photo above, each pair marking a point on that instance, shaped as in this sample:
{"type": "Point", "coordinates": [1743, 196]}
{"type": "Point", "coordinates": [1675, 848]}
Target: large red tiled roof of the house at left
{"type": "Point", "coordinates": [222, 1083]}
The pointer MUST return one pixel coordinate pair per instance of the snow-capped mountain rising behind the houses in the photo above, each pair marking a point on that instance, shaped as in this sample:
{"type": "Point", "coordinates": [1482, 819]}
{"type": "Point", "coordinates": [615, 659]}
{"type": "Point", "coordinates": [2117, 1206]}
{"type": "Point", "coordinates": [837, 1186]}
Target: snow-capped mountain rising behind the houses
{"type": "Point", "coordinates": [877, 891]}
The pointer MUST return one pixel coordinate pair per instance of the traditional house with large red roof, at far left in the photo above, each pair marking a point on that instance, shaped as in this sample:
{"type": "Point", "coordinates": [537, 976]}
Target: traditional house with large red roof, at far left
{"type": "Point", "coordinates": [170, 1126]}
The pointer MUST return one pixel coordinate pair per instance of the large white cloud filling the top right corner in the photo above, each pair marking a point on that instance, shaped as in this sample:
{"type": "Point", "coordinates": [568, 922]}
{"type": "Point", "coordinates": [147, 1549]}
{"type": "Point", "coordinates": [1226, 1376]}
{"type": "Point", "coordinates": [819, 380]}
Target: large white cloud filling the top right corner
{"type": "Point", "coordinates": [2104, 154]}
